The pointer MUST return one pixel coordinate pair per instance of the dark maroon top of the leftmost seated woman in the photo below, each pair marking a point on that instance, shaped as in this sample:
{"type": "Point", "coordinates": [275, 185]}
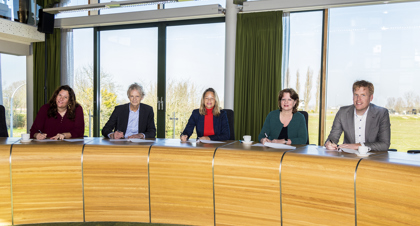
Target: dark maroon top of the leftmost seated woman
{"type": "Point", "coordinates": [52, 126]}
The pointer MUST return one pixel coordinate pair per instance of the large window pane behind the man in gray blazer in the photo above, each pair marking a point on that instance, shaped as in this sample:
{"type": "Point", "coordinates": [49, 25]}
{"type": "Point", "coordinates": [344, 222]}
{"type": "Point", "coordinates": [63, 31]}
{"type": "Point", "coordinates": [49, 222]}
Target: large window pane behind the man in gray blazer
{"type": "Point", "coordinates": [380, 44]}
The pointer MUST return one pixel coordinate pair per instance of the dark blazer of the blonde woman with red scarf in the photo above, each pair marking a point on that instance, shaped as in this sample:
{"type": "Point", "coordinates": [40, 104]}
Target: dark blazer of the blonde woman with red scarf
{"type": "Point", "coordinates": [220, 126]}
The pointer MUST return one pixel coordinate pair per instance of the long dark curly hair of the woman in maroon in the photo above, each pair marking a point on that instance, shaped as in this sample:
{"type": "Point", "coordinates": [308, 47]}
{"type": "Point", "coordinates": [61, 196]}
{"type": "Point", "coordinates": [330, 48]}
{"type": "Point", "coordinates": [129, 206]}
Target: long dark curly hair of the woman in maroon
{"type": "Point", "coordinates": [71, 107]}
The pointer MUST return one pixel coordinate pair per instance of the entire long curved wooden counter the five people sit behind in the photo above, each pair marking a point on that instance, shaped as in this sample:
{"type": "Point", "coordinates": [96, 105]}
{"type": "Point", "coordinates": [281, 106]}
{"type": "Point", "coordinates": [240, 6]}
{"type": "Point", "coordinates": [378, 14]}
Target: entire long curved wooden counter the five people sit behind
{"type": "Point", "coordinates": [166, 181]}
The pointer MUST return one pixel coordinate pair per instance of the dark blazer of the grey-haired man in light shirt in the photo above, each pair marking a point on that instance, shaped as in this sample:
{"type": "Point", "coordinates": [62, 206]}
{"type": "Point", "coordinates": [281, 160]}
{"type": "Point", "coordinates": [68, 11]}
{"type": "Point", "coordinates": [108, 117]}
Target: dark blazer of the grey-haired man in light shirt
{"type": "Point", "coordinates": [119, 120]}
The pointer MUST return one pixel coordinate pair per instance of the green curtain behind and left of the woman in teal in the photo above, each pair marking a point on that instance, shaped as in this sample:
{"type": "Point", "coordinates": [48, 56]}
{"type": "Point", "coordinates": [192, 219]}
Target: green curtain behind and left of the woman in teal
{"type": "Point", "coordinates": [257, 70]}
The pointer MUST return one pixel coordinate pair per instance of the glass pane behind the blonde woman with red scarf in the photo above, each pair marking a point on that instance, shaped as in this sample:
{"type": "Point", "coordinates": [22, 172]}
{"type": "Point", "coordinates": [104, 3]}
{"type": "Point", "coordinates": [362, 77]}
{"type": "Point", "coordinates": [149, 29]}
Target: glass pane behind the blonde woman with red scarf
{"type": "Point", "coordinates": [194, 62]}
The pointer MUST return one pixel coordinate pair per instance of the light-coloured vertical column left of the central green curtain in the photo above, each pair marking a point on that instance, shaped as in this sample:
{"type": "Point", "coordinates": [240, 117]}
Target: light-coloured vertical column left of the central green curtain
{"type": "Point", "coordinates": [231, 14]}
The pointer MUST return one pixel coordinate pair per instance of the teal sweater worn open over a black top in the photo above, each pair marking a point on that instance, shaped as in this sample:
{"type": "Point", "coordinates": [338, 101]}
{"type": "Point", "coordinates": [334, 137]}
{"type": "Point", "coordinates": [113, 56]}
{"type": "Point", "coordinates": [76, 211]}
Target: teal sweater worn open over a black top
{"type": "Point", "coordinates": [296, 130]}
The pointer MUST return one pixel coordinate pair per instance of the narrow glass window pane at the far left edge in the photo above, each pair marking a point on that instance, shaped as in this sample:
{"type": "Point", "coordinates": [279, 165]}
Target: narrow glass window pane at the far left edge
{"type": "Point", "coordinates": [13, 88]}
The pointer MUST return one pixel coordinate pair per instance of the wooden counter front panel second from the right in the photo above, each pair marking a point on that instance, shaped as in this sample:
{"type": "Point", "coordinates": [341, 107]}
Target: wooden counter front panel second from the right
{"type": "Point", "coordinates": [317, 190]}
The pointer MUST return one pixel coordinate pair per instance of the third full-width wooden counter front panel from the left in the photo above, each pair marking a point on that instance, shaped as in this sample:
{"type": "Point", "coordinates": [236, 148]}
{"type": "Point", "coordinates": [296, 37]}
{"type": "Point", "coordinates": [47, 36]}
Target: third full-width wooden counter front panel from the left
{"type": "Point", "coordinates": [181, 185]}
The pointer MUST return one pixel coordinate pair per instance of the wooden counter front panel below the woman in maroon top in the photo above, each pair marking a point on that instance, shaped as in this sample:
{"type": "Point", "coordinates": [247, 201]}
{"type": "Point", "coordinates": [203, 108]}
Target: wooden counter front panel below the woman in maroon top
{"type": "Point", "coordinates": [47, 183]}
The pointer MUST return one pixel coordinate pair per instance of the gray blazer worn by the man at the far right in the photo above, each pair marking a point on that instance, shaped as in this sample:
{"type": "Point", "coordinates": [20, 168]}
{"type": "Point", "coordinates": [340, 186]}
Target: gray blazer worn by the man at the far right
{"type": "Point", "coordinates": [378, 127]}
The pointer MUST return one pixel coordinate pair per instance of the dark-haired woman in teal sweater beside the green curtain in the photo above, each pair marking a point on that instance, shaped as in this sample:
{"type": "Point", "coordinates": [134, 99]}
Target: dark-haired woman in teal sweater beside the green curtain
{"type": "Point", "coordinates": [286, 125]}
